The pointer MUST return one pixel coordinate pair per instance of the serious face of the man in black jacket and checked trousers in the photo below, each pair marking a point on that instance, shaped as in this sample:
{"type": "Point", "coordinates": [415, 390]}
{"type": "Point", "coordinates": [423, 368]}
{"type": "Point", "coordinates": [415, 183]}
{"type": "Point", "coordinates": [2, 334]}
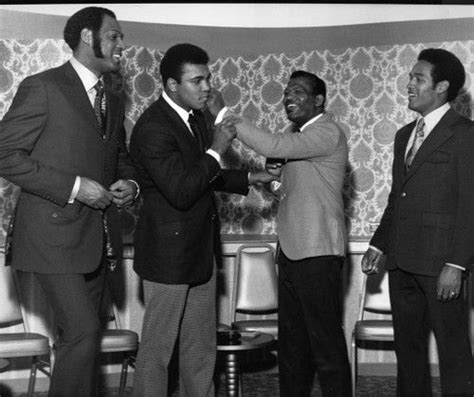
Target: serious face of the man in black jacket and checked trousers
{"type": "Point", "coordinates": [193, 90]}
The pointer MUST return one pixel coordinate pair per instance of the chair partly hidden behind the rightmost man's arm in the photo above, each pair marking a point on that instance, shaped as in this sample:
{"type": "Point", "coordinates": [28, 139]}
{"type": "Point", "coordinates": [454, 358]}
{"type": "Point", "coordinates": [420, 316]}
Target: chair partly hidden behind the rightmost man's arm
{"type": "Point", "coordinates": [374, 299]}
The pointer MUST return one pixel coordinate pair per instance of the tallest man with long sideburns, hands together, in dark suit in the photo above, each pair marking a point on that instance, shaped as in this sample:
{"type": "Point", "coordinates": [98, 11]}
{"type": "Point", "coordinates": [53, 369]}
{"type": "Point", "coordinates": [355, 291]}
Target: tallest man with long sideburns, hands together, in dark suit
{"type": "Point", "coordinates": [67, 159]}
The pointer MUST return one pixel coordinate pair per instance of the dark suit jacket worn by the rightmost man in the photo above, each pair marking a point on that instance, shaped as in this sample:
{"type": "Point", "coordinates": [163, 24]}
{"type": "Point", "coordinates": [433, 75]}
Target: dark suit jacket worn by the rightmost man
{"type": "Point", "coordinates": [429, 218]}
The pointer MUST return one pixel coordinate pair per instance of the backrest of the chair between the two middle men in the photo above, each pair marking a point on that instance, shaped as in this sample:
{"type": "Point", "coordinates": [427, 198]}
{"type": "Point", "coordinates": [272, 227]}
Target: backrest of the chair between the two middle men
{"type": "Point", "coordinates": [255, 279]}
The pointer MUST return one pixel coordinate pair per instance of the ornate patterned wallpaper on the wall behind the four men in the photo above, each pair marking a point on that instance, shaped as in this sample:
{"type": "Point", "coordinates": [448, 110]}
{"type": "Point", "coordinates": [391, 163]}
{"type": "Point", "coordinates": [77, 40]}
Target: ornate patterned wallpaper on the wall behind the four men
{"type": "Point", "coordinates": [366, 94]}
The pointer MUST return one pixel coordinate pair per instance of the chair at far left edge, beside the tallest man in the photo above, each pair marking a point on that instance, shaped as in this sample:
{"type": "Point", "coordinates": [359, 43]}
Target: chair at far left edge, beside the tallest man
{"type": "Point", "coordinates": [20, 344]}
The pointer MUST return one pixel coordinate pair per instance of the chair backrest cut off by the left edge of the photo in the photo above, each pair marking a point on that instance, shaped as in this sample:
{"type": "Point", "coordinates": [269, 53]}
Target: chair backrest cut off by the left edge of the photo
{"type": "Point", "coordinates": [10, 311]}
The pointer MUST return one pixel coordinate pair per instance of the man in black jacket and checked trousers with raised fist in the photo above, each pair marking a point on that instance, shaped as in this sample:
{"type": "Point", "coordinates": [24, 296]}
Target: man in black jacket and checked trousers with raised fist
{"type": "Point", "coordinates": [177, 236]}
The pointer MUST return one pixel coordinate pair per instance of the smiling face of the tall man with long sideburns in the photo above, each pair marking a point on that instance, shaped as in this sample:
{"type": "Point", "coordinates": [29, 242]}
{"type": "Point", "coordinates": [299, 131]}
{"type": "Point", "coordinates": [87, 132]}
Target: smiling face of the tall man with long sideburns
{"type": "Point", "coordinates": [107, 47]}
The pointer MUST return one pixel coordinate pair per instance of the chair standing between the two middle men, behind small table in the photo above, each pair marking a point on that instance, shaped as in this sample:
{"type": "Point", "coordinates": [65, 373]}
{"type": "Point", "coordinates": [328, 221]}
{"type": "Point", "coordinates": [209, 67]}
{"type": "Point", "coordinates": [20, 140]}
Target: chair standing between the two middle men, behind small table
{"type": "Point", "coordinates": [255, 291]}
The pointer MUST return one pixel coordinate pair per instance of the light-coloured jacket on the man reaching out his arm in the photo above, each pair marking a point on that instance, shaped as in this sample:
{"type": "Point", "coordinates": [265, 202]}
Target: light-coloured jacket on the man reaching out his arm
{"type": "Point", "coordinates": [310, 217]}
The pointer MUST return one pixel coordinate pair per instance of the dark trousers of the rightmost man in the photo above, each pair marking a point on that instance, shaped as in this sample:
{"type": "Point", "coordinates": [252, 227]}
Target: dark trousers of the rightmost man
{"type": "Point", "coordinates": [416, 311]}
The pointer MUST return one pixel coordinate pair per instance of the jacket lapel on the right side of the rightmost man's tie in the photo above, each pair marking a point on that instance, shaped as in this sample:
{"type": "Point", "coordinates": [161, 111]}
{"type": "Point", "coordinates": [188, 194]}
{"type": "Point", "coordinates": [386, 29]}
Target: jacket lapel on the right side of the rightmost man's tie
{"type": "Point", "coordinates": [437, 137]}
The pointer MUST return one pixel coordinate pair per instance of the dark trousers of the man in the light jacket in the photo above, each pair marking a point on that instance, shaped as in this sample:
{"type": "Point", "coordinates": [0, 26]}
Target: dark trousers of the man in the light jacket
{"type": "Point", "coordinates": [310, 334]}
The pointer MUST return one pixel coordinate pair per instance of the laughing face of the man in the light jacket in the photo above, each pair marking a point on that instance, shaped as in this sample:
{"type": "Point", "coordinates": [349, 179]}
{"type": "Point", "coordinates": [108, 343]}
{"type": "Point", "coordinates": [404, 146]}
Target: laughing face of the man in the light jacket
{"type": "Point", "coordinates": [300, 103]}
